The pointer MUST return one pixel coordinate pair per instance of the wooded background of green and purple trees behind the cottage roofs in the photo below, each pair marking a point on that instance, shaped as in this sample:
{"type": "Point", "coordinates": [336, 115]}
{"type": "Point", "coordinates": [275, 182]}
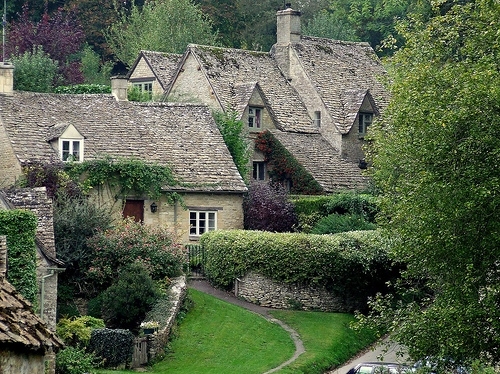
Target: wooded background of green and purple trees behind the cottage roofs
{"type": "Point", "coordinates": [86, 41]}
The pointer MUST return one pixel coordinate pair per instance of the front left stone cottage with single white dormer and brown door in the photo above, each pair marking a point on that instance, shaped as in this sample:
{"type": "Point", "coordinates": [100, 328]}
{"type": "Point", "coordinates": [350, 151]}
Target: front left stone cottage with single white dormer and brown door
{"type": "Point", "coordinates": [184, 137]}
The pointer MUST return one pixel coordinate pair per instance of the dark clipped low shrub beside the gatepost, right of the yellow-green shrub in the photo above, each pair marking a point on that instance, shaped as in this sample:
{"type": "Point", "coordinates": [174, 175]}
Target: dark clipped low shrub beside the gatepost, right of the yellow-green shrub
{"type": "Point", "coordinates": [113, 347]}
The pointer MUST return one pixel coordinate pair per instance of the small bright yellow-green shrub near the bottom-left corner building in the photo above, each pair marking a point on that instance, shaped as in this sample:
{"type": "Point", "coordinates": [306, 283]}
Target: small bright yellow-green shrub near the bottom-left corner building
{"type": "Point", "coordinates": [76, 331]}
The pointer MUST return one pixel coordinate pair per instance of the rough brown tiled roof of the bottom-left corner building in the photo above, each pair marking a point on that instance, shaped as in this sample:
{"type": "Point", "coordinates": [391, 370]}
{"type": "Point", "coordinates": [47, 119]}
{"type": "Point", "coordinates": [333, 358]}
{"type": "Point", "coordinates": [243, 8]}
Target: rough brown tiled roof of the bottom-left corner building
{"type": "Point", "coordinates": [20, 328]}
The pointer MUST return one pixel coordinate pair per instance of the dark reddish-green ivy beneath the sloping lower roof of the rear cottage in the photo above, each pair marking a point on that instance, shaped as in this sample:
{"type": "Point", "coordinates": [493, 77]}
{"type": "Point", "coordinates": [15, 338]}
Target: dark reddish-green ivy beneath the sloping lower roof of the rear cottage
{"type": "Point", "coordinates": [284, 166]}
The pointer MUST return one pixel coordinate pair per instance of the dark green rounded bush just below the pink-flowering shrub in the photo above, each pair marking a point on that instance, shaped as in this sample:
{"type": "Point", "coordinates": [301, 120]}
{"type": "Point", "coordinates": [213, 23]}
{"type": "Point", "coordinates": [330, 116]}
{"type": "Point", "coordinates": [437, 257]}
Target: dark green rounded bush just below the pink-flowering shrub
{"type": "Point", "coordinates": [126, 302]}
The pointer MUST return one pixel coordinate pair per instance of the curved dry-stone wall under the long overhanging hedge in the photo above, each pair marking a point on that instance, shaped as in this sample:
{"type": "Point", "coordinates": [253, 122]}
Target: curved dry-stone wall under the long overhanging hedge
{"type": "Point", "coordinates": [263, 291]}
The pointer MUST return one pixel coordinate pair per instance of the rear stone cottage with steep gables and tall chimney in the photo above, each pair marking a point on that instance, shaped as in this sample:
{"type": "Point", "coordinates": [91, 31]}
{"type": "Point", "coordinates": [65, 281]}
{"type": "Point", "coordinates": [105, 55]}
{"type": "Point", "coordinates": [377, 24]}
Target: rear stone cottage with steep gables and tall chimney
{"type": "Point", "coordinates": [317, 96]}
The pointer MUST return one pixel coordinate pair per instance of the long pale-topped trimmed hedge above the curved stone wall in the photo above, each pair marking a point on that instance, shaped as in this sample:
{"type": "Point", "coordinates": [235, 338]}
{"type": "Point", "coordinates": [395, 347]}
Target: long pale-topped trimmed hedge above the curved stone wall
{"type": "Point", "coordinates": [353, 264]}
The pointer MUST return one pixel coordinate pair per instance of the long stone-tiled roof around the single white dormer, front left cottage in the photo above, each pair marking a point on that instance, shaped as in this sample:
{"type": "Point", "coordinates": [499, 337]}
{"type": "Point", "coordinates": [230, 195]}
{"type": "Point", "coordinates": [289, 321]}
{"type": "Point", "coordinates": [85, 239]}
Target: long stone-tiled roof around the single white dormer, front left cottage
{"type": "Point", "coordinates": [183, 136]}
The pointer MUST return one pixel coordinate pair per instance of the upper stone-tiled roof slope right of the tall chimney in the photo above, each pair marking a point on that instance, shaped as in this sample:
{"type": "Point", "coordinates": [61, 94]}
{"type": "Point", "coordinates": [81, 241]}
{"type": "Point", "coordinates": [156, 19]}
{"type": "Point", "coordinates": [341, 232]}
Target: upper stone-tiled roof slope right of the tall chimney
{"type": "Point", "coordinates": [342, 73]}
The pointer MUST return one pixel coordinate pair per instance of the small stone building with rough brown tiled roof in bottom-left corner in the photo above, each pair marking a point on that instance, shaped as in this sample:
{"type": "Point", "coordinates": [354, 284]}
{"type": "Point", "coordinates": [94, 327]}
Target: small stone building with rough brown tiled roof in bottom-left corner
{"type": "Point", "coordinates": [26, 344]}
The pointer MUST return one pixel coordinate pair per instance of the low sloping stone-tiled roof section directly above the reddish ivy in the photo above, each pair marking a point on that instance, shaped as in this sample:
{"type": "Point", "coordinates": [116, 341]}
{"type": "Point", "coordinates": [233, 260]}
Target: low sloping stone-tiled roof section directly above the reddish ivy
{"type": "Point", "coordinates": [322, 161]}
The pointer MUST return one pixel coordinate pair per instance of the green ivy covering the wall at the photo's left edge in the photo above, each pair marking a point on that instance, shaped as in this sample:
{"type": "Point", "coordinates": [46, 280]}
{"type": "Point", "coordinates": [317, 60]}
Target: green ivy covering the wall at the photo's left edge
{"type": "Point", "coordinates": [20, 228]}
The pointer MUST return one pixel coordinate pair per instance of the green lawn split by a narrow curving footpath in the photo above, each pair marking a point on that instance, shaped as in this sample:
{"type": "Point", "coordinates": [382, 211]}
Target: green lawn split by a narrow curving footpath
{"type": "Point", "coordinates": [217, 337]}
